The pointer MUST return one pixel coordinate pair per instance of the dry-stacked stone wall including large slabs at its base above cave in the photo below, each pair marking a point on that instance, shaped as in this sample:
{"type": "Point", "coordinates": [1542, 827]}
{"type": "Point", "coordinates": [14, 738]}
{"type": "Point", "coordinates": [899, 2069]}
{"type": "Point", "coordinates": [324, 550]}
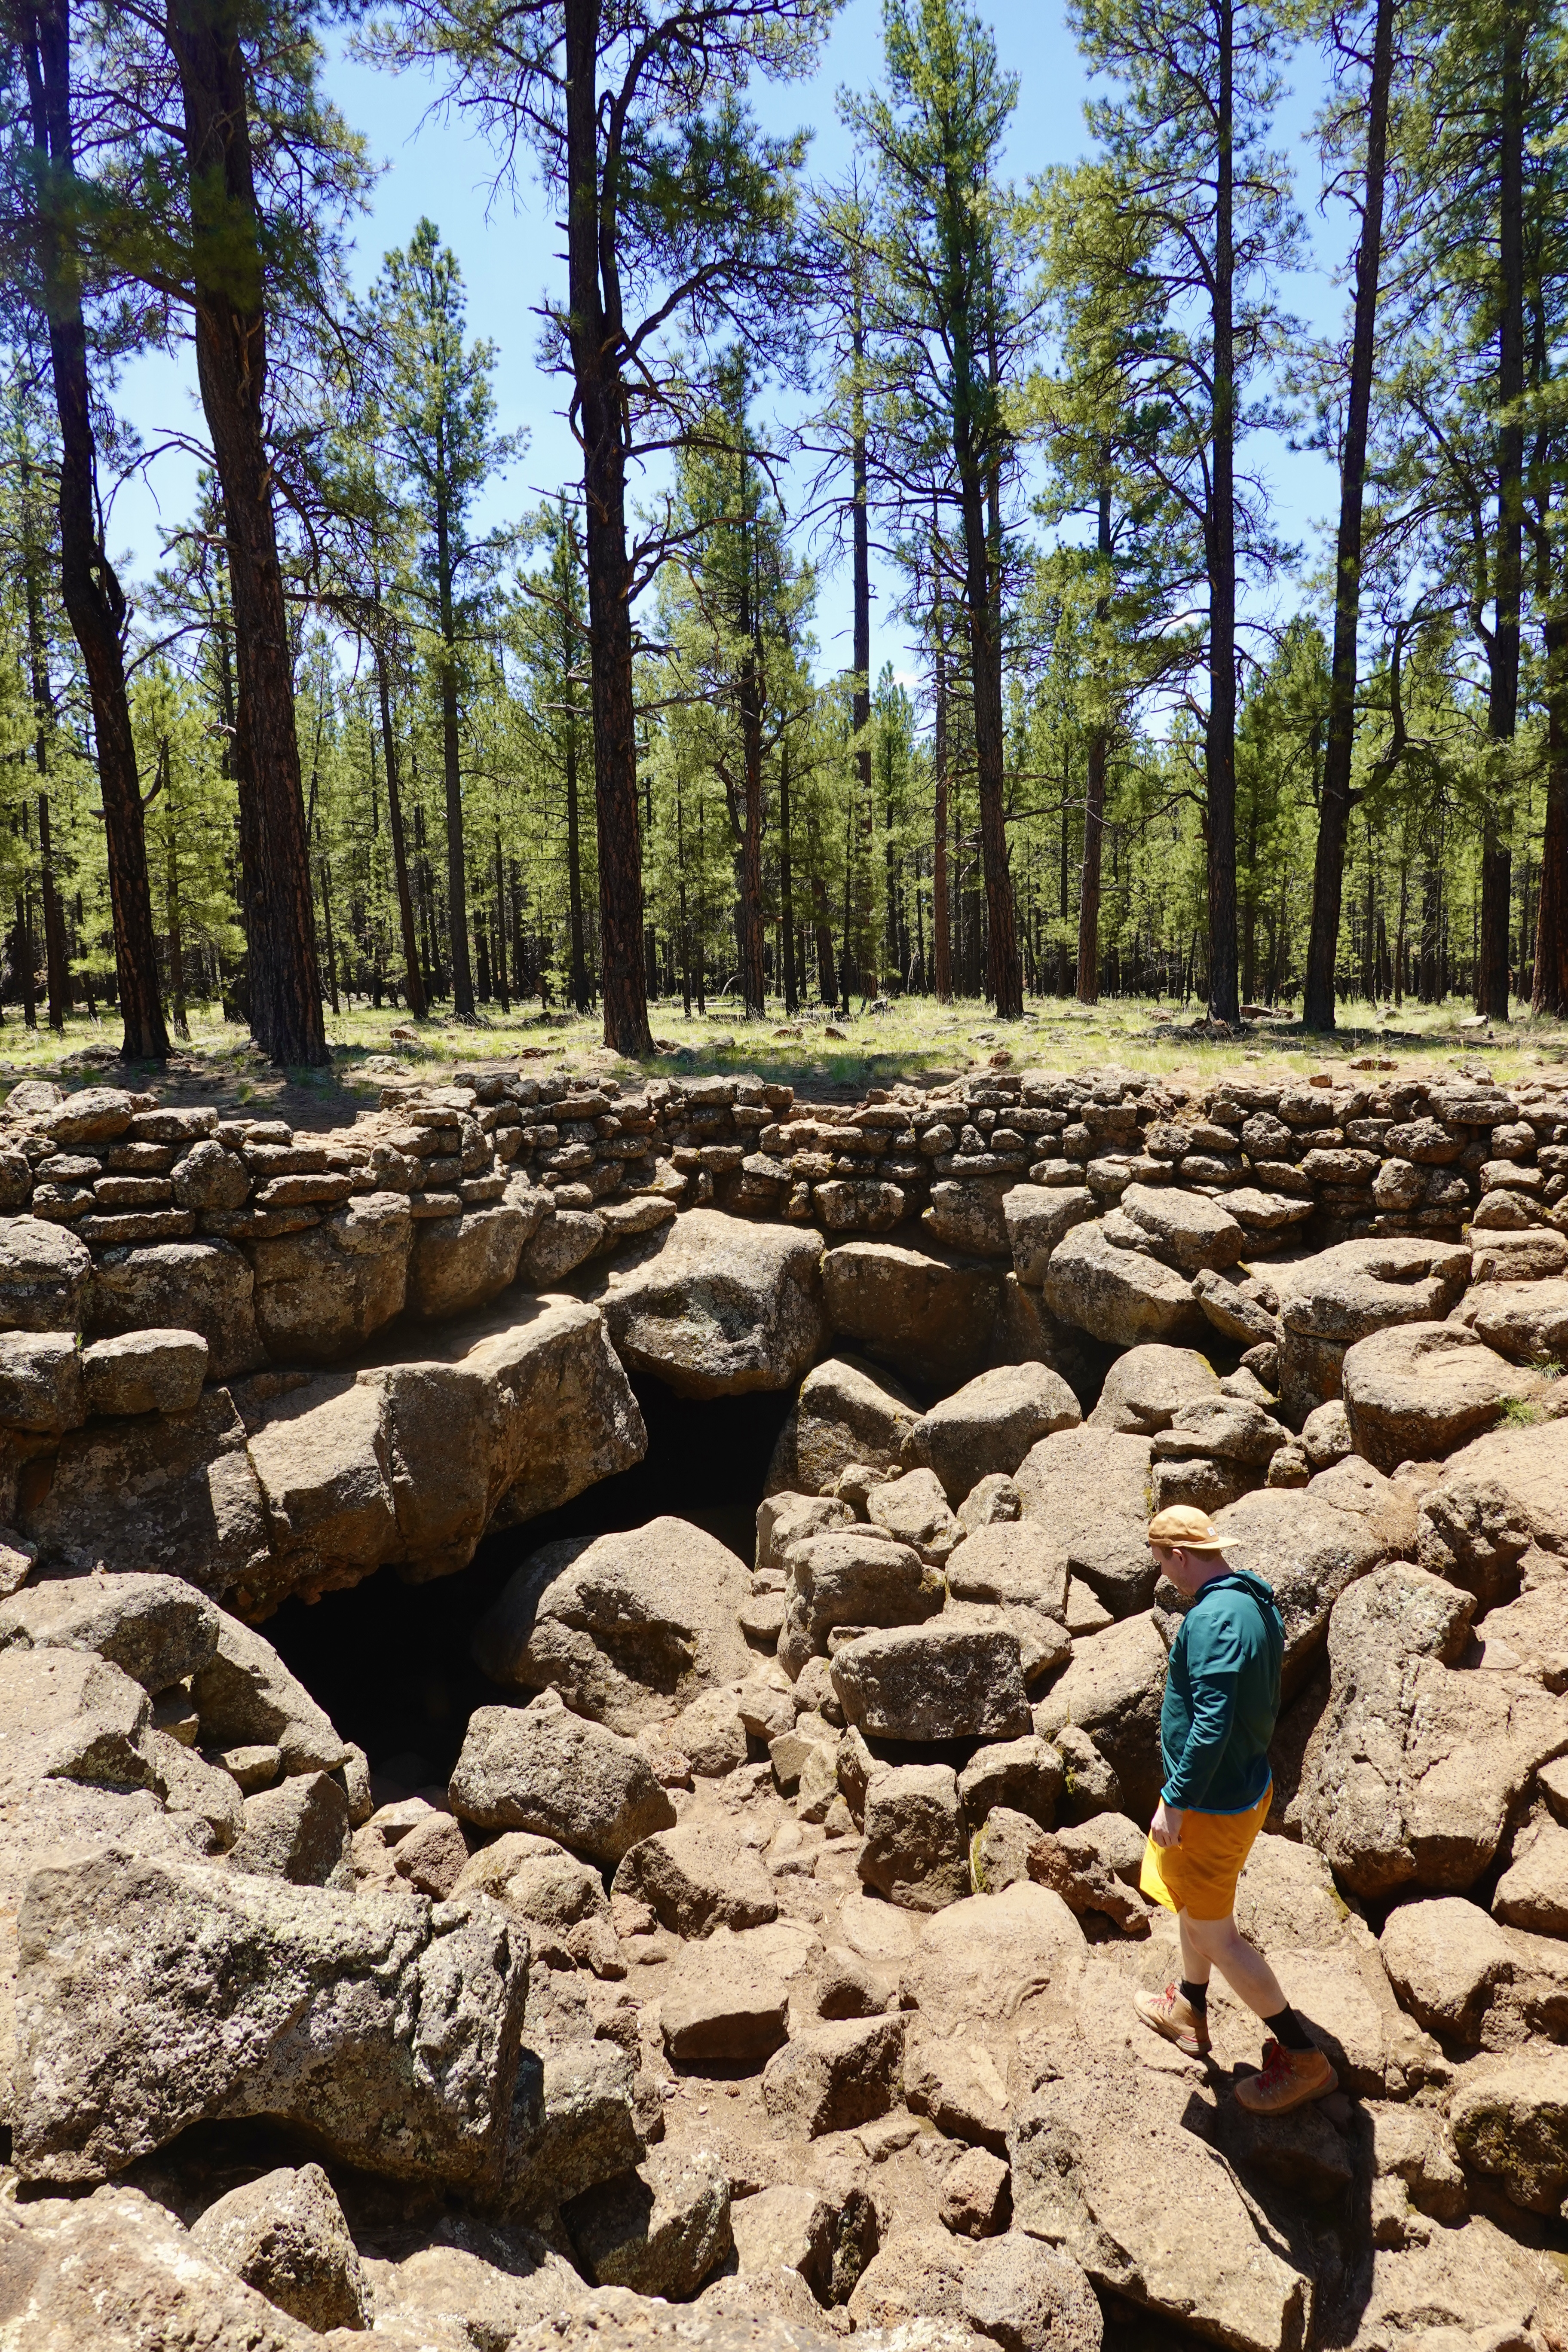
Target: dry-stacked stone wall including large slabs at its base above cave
{"type": "Point", "coordinates": [177, 1288]}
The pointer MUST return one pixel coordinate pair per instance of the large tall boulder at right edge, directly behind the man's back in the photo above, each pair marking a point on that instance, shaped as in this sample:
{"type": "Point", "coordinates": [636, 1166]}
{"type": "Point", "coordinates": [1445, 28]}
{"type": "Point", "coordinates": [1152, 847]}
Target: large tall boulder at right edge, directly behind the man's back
{"type": "Point", "coordinates": [1419, 1763]}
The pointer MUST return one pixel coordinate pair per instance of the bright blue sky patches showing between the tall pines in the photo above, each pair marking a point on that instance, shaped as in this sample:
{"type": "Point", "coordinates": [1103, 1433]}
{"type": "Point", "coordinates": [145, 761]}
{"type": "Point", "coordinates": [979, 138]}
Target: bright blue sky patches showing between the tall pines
{"type": "Point", "coordinates": [438, 166]}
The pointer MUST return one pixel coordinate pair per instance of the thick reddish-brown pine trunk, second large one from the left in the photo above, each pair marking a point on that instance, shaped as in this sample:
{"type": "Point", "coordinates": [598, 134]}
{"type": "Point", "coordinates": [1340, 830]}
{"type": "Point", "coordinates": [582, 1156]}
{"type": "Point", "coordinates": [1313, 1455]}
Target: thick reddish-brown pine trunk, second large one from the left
{"type": "Point", "coordinates": [286, 994]}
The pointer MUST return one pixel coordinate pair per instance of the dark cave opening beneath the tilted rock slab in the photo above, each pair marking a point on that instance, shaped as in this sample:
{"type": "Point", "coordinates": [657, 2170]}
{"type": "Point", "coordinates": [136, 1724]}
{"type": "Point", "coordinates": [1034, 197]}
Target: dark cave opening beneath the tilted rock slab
{"type": "Point", "coordinates": [389, 1662]}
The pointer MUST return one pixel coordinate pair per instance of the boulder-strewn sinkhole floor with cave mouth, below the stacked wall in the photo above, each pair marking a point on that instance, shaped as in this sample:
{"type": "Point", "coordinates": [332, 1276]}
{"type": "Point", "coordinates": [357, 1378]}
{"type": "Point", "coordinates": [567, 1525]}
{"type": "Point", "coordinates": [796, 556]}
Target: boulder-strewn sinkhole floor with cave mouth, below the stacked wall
{"type": "Point", "coordinates": [713, 1911]}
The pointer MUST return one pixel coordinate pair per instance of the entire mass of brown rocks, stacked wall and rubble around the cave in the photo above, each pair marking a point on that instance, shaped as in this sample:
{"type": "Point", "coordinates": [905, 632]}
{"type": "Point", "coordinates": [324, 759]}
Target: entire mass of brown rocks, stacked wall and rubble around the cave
{"type": "Point", "coordinates": [763, 1970]}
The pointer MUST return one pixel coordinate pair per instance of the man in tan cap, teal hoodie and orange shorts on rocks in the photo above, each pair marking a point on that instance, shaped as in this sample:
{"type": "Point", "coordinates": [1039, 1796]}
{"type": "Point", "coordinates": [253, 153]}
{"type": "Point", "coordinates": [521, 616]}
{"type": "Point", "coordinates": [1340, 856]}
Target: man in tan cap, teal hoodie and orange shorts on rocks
{"type": "Point", "coordinates": [1214, 1730]}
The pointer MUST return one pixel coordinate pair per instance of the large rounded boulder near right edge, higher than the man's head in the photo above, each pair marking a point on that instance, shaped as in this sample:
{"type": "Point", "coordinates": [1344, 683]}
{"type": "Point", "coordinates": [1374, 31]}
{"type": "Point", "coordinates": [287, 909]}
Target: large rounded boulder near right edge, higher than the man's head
{"type": "Point", "coordinates": [1419, 1391]}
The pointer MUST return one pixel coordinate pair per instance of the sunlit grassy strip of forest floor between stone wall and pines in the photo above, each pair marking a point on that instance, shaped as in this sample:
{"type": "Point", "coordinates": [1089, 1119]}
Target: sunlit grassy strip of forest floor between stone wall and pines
{"type": "Point", "coordinates": [826, 1057]}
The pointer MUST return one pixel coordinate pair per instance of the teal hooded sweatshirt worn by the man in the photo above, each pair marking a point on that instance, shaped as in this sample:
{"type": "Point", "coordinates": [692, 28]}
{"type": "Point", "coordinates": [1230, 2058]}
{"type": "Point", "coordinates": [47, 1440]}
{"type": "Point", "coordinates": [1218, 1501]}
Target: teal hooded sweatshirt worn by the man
{"type": "Point", "coordinates": [1224, 1697]}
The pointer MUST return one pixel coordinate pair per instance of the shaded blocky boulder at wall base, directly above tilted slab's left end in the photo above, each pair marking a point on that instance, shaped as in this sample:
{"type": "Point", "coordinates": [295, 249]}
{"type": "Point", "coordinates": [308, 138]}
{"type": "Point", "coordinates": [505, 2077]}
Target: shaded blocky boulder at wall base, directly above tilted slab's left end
{"type": "Point", "coordinates": [323, 1292]}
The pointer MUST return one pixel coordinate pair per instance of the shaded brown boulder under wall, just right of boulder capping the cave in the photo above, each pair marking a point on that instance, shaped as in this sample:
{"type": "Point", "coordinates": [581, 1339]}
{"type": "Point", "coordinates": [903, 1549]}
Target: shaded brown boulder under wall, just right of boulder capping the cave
{"type": "Point", "coordinates": [930, 1314]}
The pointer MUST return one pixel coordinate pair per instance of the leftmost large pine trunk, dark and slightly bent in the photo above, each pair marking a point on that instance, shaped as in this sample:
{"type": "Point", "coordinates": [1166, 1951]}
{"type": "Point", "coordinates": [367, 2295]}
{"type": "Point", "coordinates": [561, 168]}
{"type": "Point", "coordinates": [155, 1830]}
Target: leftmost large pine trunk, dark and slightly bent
{"type": "Point", "coordinates": [93, 596]}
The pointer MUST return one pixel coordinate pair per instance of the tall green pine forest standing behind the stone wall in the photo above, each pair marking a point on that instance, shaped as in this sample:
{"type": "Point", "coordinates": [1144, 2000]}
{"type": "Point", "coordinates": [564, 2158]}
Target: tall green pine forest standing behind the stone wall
{"type": "Point", "coordinates": [351, 747]}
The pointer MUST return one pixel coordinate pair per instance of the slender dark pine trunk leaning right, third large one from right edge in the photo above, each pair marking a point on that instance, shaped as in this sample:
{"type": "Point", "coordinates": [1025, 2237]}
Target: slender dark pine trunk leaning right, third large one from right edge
{"type": "Point", "coordinates": [1334, 806]}
